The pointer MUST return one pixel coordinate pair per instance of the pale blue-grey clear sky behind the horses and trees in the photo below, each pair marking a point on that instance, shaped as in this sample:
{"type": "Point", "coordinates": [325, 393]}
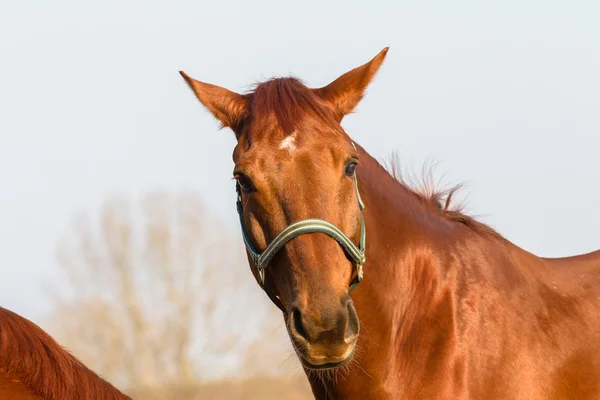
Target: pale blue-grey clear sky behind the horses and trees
{"type": "Point", "coordinates": [504, 97]}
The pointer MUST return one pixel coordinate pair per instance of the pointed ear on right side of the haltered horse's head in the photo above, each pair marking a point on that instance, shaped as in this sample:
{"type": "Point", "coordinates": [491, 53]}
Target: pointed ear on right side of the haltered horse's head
{"type": "Point", "coordinates": [344, 94]}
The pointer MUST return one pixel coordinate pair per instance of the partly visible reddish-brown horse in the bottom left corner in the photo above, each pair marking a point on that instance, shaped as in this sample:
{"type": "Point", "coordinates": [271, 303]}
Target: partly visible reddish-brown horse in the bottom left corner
{"type": "Point", "coordinates": [34, 367]}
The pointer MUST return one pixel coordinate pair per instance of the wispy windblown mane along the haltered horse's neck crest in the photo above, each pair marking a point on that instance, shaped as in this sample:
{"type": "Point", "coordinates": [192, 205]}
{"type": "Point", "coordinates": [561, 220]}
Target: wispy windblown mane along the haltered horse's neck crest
{"type": "Point", "coordinates": [438, 200]}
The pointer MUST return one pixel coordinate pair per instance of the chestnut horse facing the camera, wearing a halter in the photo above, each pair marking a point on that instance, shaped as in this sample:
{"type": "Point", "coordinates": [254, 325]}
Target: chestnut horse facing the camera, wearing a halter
{"type": "Point", "coordinates": [447, 309]}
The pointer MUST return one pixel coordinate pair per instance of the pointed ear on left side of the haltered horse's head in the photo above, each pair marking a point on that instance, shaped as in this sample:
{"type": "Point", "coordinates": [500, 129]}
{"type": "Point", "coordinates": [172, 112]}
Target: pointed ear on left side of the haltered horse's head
{"type": "Point", "coordinates": [228, 107]}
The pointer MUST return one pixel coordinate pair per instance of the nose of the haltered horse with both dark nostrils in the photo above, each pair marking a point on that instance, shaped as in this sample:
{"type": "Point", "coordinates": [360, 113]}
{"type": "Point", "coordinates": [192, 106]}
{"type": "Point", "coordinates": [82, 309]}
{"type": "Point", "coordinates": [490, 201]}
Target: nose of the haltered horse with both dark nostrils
{"type": "Point", "coordinates": [320, 324]}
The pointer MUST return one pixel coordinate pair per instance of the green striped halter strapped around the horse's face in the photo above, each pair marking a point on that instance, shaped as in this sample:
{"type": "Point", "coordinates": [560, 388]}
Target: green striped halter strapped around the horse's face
{"type": "Point", "coordinates": [261, 260]}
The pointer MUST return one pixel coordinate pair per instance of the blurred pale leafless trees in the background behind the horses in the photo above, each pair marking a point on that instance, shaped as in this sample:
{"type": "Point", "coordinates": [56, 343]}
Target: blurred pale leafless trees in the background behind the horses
{"type": "Point", "coordinates": [157, 291]}
